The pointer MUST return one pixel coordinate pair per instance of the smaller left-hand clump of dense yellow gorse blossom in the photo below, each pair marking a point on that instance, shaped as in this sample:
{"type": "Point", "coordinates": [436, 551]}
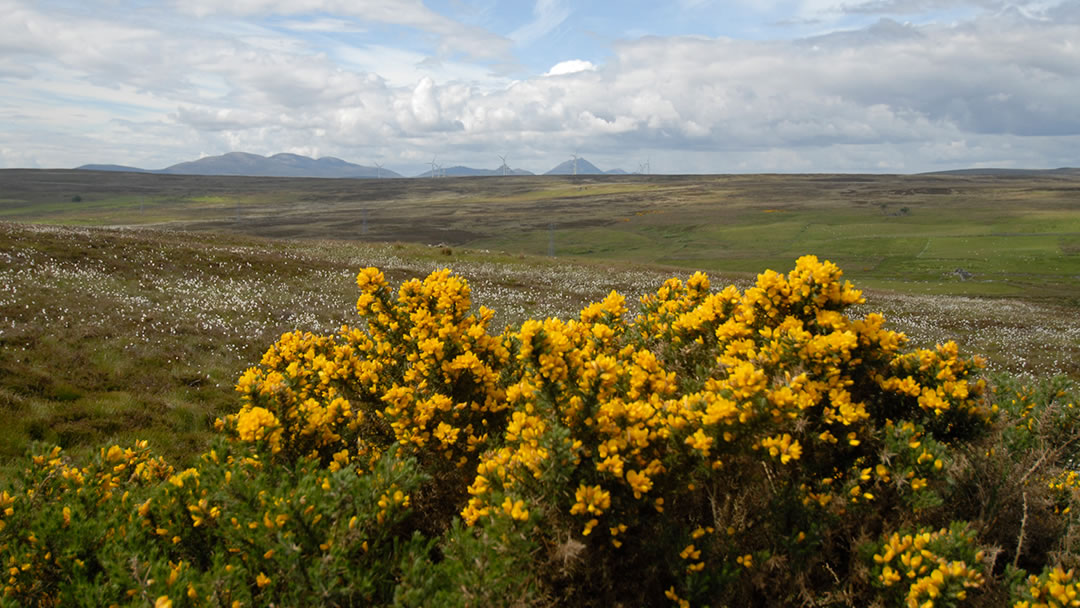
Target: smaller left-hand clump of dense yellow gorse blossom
{"type": "Point", "coordinates": [422, 371]}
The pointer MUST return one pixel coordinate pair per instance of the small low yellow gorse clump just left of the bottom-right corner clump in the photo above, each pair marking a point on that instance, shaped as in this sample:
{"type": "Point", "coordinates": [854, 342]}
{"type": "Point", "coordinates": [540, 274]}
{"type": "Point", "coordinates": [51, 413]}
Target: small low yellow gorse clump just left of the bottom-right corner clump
{"type": "Point", "coordinates": [933, 579]}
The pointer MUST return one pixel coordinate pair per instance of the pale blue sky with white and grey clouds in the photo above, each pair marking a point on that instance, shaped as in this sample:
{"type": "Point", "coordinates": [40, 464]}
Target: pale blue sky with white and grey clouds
{"type": "Point", "coordinates": [684, 86]}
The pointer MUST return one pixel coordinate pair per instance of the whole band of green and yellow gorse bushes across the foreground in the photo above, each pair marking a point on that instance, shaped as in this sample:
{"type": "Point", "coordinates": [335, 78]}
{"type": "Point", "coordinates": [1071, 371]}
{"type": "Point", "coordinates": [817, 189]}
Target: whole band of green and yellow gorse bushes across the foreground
{"type": "Point", "coordinates": [718, 448]}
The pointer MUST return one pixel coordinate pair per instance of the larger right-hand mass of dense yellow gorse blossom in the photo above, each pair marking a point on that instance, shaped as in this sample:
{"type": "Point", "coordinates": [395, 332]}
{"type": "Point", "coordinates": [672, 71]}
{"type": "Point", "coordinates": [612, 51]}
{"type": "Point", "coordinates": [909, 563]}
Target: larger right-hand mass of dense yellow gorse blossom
{"type": "Point", "coordinates": [713, 377]}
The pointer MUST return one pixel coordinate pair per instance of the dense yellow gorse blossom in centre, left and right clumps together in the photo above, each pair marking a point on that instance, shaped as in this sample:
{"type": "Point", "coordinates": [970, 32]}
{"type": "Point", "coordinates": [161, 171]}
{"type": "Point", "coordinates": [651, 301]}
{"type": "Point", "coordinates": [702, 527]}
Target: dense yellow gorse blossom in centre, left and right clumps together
{"type": "Point", "coordinates": [612, 418]}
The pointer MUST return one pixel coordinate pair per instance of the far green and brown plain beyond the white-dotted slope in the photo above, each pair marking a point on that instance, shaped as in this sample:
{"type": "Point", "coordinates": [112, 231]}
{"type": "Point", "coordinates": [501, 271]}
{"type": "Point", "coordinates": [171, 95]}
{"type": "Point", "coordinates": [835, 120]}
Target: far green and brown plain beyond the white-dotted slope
{"type": "Point", "coordinates": [947, 235]}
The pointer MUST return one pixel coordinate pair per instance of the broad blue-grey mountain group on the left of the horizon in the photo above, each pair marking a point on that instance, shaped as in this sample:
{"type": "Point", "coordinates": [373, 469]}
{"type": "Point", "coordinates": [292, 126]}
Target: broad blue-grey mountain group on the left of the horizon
{"type": "Point", "coordinates": [254, 166]}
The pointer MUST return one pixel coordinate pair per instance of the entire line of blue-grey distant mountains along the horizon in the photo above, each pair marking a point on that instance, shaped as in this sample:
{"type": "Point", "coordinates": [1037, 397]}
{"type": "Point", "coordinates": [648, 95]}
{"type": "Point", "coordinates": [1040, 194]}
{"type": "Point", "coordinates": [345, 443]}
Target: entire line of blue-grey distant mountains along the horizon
{"type": "Point", "coordinates": [295, 166]}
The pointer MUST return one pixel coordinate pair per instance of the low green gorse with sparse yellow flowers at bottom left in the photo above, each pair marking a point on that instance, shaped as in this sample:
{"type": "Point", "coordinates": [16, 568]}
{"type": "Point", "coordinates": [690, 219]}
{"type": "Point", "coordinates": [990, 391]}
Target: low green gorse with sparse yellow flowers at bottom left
{"type": "Point", "coordinates": [234, 532]}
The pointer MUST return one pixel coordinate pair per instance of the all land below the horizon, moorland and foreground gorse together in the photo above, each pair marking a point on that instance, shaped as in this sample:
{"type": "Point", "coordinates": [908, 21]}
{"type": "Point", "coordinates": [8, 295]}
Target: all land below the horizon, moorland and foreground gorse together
{"type": "Point", "coordinates": [130, 305]}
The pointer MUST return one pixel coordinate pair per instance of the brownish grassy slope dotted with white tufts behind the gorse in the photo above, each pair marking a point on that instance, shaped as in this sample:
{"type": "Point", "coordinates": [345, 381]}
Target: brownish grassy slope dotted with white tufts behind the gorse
{"type": "Point", "coordinates": [110, 334]}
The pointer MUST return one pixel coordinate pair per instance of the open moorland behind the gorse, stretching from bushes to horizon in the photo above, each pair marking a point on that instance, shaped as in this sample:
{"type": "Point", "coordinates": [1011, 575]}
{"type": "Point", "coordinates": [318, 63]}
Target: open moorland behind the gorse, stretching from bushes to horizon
{"type": "Point", "coordinates": [133, 302]}
